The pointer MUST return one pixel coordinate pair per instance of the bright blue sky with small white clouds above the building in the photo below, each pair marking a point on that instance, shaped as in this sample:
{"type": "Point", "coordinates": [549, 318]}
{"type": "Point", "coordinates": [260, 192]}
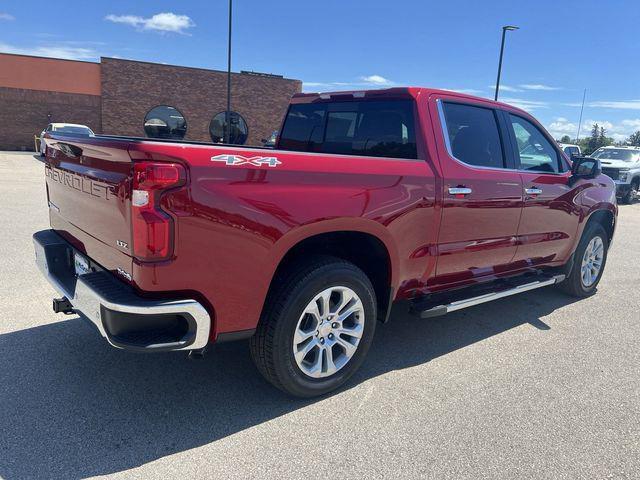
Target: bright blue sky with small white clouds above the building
{"type": "Point", "coordinates": [561, 48]}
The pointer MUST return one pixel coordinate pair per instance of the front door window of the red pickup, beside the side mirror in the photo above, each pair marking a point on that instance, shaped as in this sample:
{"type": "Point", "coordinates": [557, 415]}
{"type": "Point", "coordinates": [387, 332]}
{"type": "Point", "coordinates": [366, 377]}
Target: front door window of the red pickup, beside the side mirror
{"type": "Point", "coordinates": [535, 152]}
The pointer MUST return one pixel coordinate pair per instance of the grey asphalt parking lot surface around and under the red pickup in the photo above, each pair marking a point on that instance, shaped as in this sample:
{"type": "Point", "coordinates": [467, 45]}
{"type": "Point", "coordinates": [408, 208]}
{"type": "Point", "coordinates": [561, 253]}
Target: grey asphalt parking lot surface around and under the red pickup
{"type": "Point", "coordinates": [533, 386]}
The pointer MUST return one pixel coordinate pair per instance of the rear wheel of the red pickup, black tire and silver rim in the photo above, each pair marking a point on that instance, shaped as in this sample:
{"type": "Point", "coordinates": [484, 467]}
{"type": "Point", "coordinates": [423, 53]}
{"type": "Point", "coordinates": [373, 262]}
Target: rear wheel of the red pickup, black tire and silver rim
{"type": "Point", "coordinates": [316, 327]}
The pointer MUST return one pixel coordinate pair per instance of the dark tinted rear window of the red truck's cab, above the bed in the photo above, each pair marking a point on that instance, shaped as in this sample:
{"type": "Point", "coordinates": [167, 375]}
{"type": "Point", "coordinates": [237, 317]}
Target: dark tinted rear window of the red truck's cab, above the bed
{"type": "Point", "coordinates": [377, 128]}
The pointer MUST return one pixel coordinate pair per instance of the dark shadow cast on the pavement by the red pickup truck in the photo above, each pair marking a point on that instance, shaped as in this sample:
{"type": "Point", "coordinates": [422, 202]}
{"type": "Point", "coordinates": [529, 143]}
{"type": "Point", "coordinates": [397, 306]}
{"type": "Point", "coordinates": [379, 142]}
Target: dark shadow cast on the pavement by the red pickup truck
{"type": "Point", "coordinates": [73, 407]}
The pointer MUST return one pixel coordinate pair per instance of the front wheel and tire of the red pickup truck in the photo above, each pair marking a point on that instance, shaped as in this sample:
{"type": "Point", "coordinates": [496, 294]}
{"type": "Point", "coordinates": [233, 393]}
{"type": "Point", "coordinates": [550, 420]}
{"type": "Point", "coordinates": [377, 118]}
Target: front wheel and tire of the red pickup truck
{"type": "Point", "coordinates": [589, 261]}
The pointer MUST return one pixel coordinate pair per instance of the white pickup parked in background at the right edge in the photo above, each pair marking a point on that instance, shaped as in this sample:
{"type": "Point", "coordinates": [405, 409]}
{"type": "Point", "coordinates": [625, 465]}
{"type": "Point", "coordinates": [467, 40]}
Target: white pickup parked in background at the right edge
{"type": "Point", "coordinates": [622, 164]}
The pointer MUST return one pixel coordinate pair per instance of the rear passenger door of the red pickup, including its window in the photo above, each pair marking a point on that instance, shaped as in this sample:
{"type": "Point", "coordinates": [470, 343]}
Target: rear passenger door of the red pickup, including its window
{"type": "Point", "coordinates": [482, 192]}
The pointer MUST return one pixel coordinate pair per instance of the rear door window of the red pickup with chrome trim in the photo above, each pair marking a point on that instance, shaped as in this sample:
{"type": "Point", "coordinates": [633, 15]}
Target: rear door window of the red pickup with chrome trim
{"type": "Point", "coordinates": [473, 134]}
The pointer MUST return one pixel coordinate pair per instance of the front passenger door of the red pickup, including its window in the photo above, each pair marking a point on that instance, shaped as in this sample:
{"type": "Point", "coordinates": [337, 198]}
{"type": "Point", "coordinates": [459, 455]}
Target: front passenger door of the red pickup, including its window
{"type": "Point", "coordinates": [549, 220]}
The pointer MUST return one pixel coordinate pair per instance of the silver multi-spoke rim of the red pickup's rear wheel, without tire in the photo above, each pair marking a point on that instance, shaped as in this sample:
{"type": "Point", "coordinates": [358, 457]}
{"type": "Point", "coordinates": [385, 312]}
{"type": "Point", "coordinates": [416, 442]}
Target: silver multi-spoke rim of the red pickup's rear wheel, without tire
{"type": "Point", "coordinates": [328, 332]}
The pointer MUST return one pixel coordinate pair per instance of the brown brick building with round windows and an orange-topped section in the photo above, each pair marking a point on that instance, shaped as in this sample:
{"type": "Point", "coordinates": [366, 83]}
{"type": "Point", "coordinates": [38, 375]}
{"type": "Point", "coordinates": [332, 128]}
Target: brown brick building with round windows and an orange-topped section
{"type": "Point", "coordinates": [125, 97]}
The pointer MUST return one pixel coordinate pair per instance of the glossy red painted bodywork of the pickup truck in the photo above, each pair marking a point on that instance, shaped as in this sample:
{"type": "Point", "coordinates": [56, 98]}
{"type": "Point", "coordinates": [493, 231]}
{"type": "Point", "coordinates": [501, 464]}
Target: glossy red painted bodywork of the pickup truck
{"type": "Point", "coordinates": [234, 224]}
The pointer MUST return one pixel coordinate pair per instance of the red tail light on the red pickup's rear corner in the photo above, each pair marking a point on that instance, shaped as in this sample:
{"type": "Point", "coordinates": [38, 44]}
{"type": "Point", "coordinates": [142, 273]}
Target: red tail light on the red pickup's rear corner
{"type": "Point", "coordinates": [152, 227]}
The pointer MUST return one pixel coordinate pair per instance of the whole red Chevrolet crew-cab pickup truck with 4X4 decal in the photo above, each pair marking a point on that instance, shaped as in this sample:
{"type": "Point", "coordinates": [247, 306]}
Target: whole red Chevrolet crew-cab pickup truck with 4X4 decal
{"type": "Point", "coordinates": [434, 198]}
